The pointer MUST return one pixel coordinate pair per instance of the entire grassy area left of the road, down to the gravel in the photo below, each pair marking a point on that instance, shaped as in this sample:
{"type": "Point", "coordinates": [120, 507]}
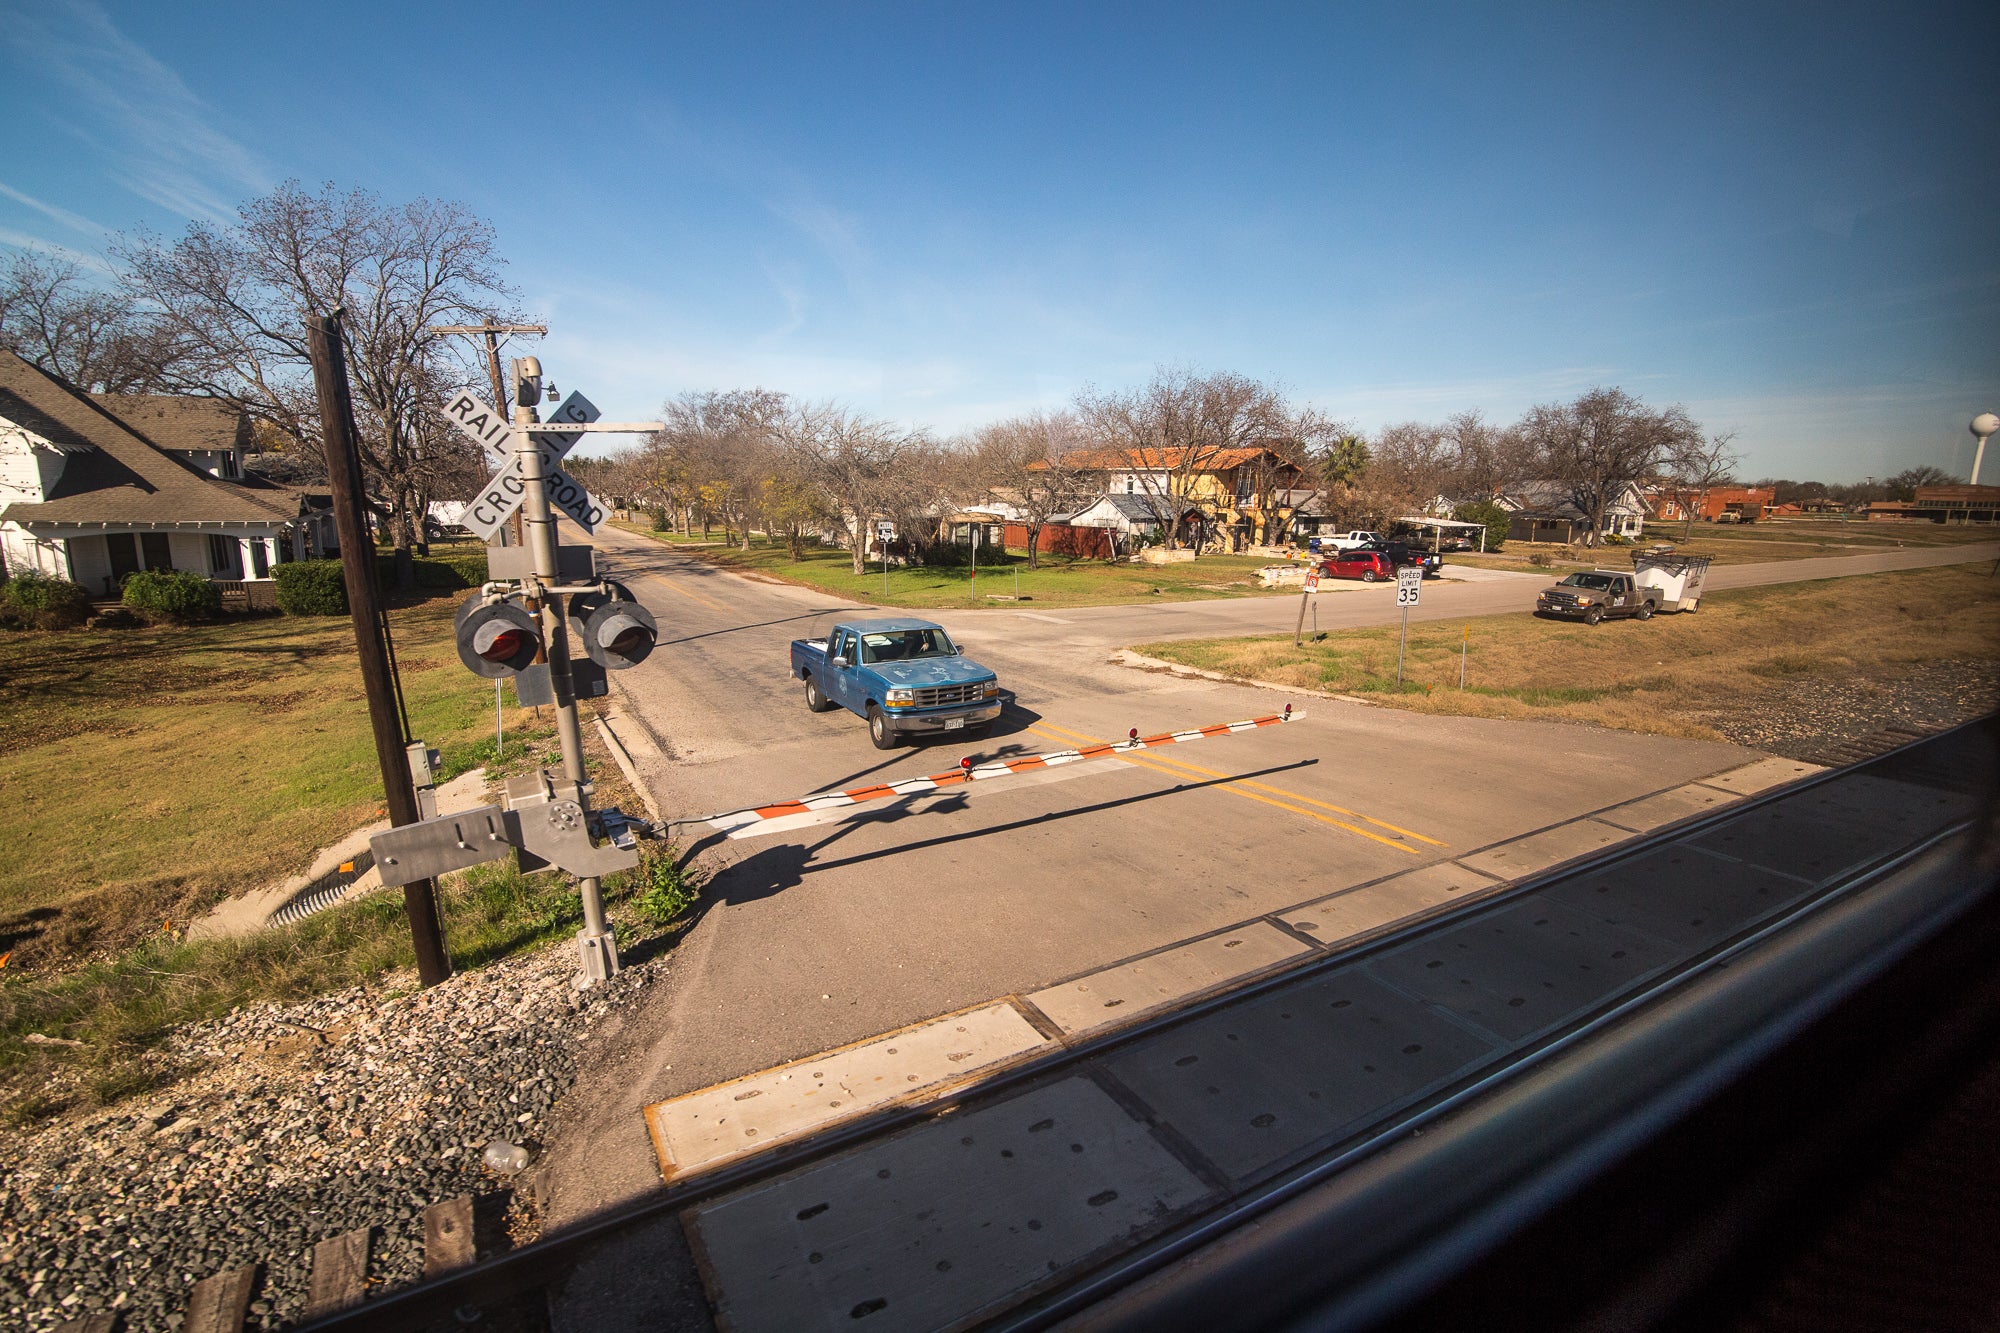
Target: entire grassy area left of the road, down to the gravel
{"type": "Point", "coordinates": [149, 774]}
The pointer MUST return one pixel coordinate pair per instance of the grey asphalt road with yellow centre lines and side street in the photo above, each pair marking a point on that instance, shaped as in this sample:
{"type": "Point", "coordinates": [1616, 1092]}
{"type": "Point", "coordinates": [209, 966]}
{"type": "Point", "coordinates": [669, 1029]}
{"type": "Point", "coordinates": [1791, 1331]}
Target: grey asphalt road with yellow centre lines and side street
{"type": "Point", "coordinates": [831, 934]}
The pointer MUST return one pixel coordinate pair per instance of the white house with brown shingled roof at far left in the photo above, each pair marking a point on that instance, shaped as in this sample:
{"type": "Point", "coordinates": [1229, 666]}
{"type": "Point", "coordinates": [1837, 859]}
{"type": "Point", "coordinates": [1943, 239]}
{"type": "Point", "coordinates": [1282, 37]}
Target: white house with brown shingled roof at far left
{"type": "Point", "coordinates": [95, 487]}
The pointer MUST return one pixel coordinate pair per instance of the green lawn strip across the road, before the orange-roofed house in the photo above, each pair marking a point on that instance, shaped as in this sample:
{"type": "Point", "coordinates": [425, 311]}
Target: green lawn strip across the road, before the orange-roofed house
{"type": "Point", "coordinates": [1057, 583]}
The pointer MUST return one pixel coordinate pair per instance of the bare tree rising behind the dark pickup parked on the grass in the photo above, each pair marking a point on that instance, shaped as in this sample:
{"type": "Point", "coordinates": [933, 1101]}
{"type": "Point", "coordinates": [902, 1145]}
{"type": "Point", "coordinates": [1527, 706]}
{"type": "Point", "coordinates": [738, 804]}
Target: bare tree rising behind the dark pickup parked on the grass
{"type": "Point", "coordinates": [1605, 441]}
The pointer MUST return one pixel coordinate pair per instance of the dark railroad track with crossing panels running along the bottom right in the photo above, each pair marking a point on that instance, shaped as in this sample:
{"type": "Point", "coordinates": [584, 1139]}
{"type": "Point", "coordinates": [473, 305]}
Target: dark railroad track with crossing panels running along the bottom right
{"type": "Point", "coordinates": [1069, 1184]}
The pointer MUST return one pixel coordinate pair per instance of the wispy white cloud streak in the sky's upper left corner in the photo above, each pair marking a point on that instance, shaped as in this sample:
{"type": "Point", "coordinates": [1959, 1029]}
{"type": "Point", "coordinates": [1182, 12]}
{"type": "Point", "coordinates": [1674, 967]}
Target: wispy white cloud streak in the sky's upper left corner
{"type": "Point", "coordinates": [163, 137]}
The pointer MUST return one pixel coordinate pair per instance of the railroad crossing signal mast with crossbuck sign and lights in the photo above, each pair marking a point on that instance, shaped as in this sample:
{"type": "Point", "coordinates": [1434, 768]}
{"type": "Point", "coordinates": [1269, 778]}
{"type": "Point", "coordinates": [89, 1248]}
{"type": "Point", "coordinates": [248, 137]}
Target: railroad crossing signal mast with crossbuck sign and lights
{"type": "Point", "coordinates": [519, 627]}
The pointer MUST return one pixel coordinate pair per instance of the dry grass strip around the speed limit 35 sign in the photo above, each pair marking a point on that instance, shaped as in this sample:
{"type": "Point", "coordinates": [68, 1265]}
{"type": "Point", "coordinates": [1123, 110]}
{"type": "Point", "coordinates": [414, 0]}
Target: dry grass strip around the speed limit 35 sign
{"type": "Point", "coordinates": [1661, 676]}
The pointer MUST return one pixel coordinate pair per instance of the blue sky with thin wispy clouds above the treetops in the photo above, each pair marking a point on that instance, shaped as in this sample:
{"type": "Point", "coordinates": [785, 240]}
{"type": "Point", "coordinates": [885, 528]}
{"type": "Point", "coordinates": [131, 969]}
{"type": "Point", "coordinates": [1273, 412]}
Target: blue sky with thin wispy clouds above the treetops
{"type": "Point", "coordinates": [1783, 217]}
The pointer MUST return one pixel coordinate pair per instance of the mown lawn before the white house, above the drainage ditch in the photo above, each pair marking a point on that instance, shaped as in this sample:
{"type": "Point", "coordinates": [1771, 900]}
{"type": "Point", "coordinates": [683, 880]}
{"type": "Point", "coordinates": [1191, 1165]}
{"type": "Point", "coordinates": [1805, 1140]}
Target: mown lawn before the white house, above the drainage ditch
{"type": "Point", "coordinates": [149, 774]}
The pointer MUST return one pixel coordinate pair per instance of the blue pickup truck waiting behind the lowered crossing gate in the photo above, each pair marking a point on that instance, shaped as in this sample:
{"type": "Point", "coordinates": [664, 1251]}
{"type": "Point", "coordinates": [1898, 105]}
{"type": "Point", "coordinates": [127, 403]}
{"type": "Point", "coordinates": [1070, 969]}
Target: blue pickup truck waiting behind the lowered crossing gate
{"type": "Point", "coordinates": [903, 676]}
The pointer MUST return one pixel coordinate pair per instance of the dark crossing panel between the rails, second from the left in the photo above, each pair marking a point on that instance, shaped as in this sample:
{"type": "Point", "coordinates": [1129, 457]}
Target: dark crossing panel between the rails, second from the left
{"type": "Point", "coordinates": [1273, 1080]}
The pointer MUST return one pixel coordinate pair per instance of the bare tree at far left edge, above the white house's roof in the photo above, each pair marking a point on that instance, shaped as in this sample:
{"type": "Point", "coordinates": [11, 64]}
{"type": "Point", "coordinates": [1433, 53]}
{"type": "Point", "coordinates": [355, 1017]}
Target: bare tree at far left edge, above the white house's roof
{"type": "Point", "coordinates": [87, 335]}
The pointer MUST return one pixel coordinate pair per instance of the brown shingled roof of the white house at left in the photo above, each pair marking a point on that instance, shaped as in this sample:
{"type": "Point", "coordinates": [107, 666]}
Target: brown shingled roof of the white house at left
{"type": "Point", "coordinates": [119, 475]}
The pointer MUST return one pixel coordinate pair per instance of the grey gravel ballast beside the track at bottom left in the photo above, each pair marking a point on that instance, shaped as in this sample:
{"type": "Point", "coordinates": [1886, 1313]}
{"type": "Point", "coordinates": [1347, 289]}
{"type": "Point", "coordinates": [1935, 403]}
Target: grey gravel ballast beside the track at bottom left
{"type": "Point", "coordinates": [303, 1122]}
